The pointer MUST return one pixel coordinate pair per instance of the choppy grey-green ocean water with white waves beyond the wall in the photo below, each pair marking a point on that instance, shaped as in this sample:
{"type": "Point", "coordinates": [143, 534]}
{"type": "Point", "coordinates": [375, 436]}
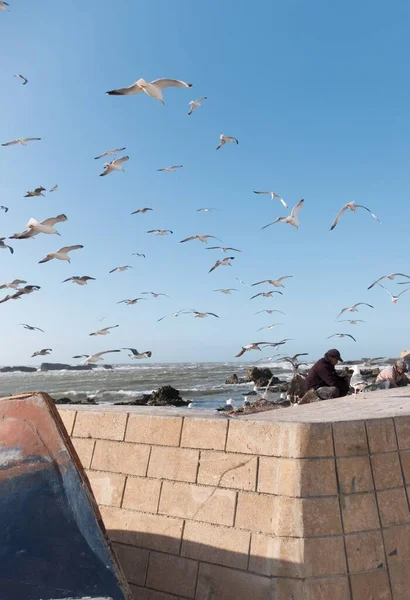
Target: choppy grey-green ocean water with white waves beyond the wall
{"type": "Point", "coordinates": [201, 383]}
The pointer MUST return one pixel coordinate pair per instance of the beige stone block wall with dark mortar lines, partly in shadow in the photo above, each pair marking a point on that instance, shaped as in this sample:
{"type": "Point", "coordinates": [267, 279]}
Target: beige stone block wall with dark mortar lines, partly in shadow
{"type": "Point", "coordinates": [209, 508]}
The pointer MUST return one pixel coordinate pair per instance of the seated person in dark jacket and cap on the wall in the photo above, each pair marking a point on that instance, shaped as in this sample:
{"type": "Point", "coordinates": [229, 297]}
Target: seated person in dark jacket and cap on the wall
{"type": "Point", "coordinates": [323, 378]}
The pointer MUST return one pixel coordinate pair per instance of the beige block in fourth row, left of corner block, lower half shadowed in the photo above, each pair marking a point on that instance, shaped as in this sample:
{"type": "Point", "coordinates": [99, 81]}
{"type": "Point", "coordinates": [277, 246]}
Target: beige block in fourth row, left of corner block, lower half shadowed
{"type": "Point", "coordinates": [213, 543]}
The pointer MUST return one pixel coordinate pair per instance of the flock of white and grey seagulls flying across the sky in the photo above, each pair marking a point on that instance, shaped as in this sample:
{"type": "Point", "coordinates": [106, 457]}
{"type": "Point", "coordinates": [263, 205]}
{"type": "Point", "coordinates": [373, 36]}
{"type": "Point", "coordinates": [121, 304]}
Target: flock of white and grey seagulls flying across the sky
{"type": "Point", "coordinates": [19, 288]}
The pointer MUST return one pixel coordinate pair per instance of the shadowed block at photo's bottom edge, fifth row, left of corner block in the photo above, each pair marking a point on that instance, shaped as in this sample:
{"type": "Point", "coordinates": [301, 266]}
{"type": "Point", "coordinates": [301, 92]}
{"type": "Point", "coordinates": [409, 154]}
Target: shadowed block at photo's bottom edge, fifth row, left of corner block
{"type": "Point", "coordinates": [222, 583]}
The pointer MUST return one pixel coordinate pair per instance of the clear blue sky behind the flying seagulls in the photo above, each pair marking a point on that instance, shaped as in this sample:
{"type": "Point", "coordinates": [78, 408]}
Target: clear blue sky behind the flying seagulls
{"type": "Point", "coordinates": [318, 96]}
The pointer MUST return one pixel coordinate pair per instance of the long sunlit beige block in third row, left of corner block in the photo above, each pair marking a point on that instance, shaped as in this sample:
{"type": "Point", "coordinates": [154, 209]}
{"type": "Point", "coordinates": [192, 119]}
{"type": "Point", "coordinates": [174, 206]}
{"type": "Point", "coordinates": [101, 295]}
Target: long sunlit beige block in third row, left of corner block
{"type": "Point", "coordinates": [199, 503]}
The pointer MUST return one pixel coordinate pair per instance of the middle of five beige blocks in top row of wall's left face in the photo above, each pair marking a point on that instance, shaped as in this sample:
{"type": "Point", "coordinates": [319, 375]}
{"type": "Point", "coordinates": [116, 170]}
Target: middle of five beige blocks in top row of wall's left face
{"type": "Point", "coordinates": [149, 429]}
